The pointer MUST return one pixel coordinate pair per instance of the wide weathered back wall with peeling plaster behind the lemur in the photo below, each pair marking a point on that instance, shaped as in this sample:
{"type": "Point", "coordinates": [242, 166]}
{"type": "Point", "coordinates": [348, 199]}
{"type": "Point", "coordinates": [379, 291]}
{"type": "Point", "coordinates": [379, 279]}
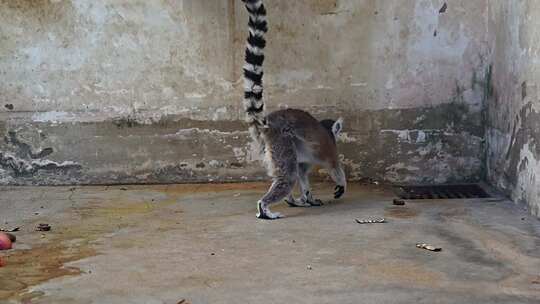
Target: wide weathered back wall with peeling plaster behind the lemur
{"type": "Point", "coordinates": [150, 91]}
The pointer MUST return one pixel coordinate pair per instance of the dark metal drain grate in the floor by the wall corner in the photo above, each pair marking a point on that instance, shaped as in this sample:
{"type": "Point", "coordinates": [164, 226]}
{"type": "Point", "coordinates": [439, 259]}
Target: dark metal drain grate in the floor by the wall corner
{"type": "Point", "coordinates": [441, 192]}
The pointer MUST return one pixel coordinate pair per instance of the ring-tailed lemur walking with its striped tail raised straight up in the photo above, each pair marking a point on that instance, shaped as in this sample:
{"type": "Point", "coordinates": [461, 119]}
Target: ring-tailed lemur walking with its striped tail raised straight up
{"type": "Point", "coordinates": [292, 140]}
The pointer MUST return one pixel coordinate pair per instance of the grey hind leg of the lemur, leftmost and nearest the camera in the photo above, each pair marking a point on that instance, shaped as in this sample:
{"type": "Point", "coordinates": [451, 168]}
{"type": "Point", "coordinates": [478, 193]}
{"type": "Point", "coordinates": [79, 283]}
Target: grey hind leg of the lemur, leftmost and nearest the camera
{"type": "Point", "coordinates": [284, 169]}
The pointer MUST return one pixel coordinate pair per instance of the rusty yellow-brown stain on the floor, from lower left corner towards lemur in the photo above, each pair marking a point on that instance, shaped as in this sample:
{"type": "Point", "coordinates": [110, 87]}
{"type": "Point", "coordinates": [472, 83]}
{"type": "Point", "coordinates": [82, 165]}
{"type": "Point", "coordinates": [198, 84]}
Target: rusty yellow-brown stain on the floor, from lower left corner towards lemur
{"type": "Point", "coordinates": [74, 240]}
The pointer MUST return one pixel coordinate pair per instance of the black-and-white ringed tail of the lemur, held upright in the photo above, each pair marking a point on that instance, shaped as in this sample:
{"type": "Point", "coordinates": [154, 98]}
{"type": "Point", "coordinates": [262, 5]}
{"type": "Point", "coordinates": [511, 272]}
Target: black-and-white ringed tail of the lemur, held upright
{"type": "Point", "coordinates": [253, 67]}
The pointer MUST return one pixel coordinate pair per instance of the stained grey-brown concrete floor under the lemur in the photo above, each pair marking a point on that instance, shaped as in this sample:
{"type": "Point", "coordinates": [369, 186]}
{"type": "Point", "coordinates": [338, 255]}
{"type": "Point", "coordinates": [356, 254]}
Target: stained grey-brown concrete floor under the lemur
{"type": "Point", "coordinates": [202, 243]}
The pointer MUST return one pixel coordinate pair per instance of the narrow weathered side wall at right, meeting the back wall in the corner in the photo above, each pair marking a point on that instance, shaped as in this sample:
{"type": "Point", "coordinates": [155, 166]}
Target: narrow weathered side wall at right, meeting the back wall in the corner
{"type": "Point", "coordinates": [513, 130]}
